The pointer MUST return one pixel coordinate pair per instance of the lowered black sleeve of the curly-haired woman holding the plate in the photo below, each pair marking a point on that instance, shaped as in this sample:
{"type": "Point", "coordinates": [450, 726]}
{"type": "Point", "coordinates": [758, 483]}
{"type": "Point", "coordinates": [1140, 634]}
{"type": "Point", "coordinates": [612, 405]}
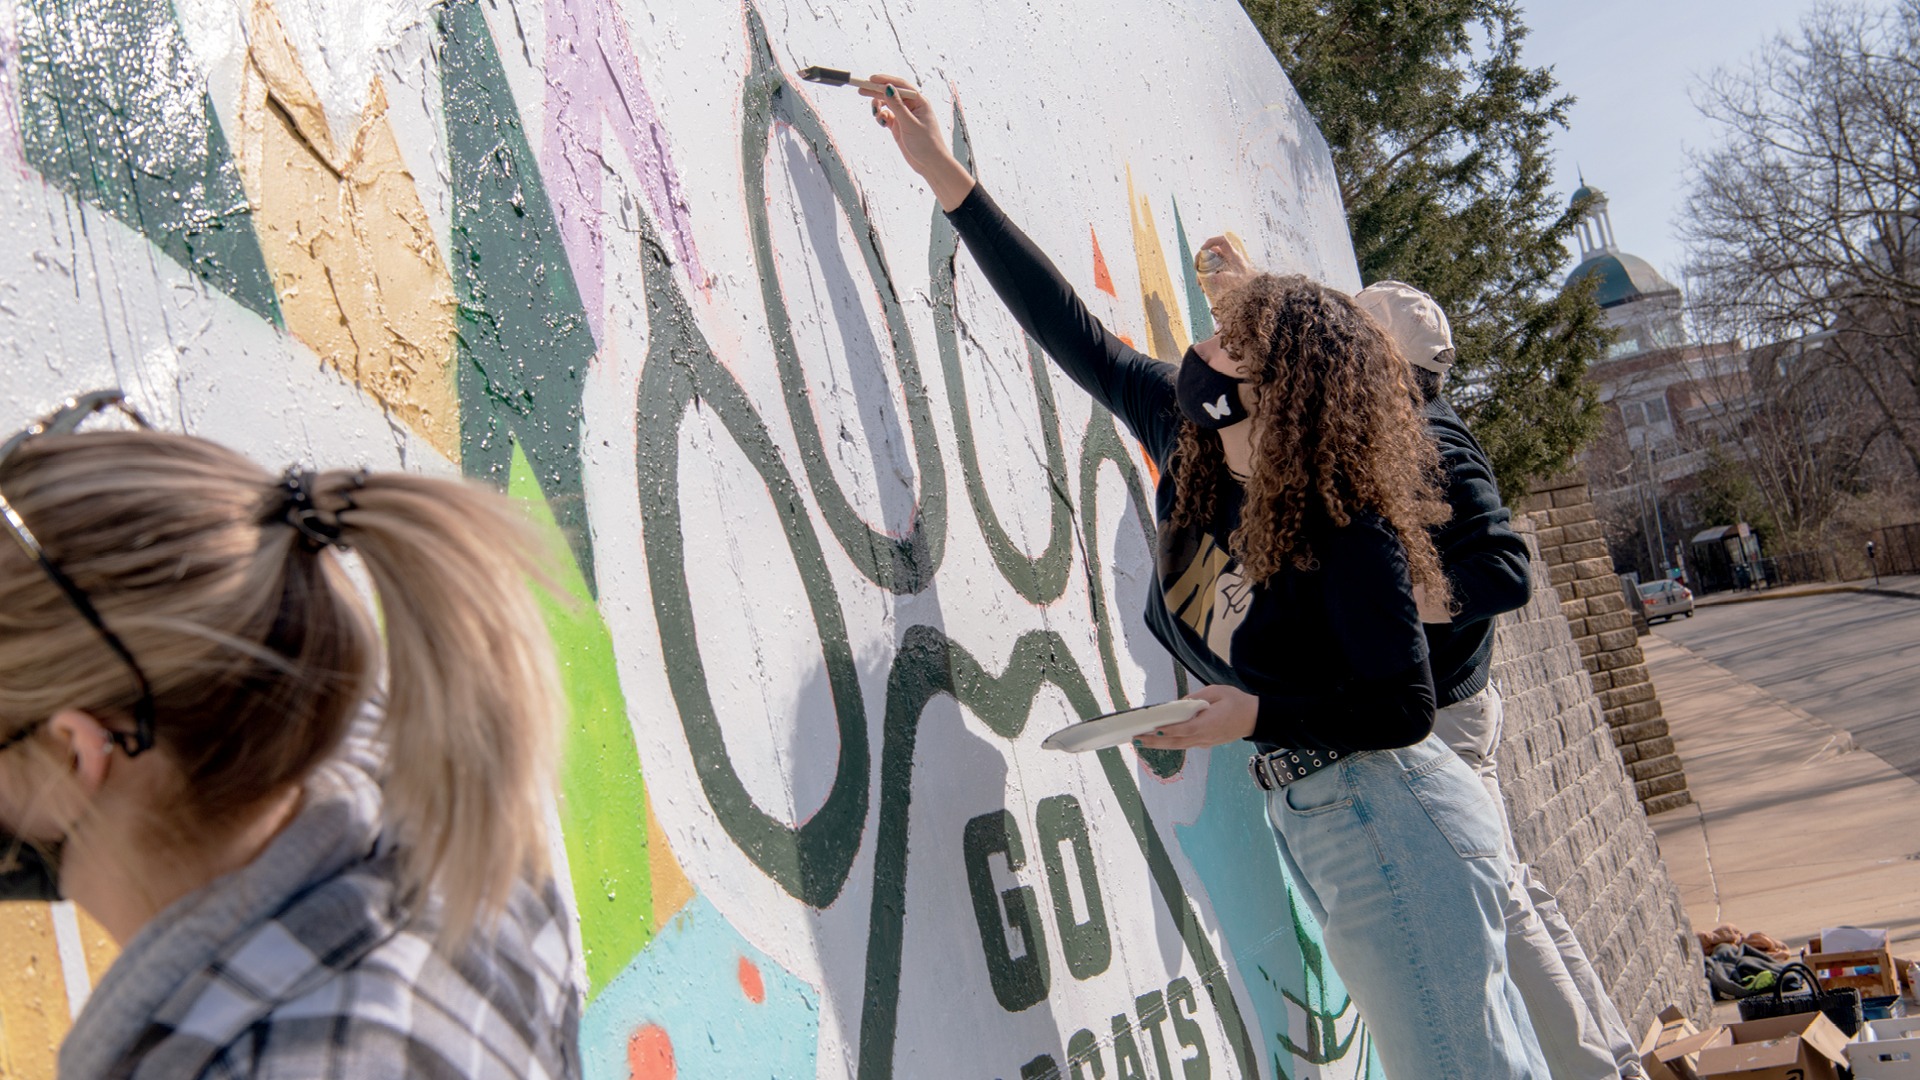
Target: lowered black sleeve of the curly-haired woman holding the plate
{"type": "Point", "coordinates": [1389, 697]}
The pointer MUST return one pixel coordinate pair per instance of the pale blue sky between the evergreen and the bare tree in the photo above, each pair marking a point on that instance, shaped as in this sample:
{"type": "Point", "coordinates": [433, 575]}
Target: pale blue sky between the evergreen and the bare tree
{"type": "Point", "coordinates": [1633, 64]}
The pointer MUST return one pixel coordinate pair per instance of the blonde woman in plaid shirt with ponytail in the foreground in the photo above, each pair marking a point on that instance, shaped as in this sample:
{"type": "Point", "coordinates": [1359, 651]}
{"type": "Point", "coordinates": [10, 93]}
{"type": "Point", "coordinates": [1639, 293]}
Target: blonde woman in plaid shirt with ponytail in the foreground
{"type": "Point", "coordinates": [306, 879]}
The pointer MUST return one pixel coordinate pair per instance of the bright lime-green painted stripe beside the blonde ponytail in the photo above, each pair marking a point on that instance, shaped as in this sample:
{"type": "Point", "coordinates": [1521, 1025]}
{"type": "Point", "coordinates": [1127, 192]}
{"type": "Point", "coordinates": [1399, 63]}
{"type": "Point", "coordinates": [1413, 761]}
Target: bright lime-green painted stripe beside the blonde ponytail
{"type": "Point", "coordinates": [604, 800]}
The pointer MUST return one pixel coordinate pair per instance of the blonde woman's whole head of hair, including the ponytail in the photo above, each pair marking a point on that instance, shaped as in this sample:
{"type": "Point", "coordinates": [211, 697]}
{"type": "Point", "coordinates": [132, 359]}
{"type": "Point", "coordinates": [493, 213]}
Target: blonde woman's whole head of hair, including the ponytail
{"type": "Point", "coordinates": [260, 649]}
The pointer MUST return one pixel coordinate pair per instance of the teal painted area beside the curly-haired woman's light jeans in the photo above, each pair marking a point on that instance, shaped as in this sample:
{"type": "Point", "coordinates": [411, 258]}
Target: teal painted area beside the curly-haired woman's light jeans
{"type": "Point", "coordinates": [1268, 931]}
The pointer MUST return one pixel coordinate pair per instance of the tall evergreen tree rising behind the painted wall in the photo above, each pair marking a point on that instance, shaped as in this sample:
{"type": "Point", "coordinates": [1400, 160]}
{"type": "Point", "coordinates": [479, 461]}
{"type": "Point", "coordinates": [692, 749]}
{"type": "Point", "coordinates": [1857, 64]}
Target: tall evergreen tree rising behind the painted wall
{"type": "Point", "coordinates": [1439, 137]}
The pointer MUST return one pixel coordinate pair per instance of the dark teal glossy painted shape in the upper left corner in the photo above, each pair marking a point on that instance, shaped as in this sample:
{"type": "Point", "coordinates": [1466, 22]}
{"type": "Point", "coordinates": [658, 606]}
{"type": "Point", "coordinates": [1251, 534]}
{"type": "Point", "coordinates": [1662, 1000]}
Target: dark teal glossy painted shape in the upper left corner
{"type": "Point", "coordinates": [114, 110]}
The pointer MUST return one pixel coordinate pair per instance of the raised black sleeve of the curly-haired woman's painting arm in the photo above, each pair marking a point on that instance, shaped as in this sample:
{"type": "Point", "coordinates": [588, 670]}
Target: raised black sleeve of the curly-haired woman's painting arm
{"type": "Point", "coordinates": [1132, 385]}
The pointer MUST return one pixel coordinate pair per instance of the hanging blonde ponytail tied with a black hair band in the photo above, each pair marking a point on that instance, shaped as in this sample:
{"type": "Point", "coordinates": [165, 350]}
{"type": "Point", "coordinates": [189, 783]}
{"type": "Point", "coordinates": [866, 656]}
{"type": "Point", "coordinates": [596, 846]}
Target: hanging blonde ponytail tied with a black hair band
{"type": "Point", "coordinates": [473, 700]}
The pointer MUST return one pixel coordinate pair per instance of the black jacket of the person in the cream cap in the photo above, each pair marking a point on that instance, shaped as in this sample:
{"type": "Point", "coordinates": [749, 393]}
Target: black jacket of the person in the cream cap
{"type": "Point", "coordinates": [1483, 558]}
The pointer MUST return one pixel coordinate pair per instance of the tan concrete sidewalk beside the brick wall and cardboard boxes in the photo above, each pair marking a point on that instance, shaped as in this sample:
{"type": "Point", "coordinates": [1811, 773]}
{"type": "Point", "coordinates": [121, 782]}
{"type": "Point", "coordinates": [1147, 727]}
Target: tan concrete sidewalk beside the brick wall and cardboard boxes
{"type": "Point", "coordinates": [1792, 827]}
